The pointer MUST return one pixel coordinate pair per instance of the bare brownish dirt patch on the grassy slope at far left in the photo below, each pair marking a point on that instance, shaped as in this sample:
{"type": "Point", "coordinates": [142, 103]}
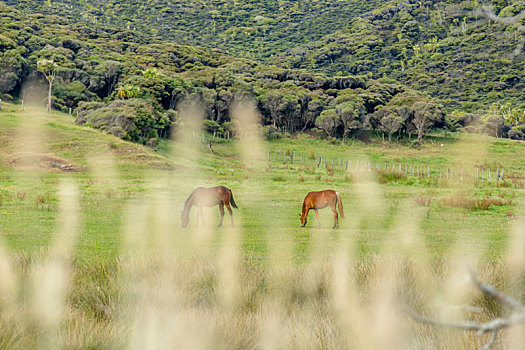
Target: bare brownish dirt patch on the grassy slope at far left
{"type": "Point", "coordinates": [42, 162]}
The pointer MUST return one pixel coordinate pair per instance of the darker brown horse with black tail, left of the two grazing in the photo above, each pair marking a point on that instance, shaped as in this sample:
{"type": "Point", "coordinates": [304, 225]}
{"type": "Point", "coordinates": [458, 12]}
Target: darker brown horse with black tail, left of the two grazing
{"type": "Point", "coordinates": [208, 197]}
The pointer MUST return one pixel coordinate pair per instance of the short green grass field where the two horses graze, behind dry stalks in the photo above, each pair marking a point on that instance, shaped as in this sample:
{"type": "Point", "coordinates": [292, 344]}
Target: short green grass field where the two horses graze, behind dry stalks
{"type": "Point", "coordinates": [273, 195]}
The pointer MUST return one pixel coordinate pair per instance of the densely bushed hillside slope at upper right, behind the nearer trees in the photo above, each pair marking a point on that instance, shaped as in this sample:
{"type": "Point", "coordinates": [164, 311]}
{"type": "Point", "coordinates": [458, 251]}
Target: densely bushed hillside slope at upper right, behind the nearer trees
{"type": "Point", "coordinates": [443, 48]}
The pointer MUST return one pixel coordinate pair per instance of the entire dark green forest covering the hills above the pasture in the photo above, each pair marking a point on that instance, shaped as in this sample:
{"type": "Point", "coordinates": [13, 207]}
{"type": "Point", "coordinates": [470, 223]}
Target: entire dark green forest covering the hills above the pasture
{"type": "Point", "coordinates": [386, 71]}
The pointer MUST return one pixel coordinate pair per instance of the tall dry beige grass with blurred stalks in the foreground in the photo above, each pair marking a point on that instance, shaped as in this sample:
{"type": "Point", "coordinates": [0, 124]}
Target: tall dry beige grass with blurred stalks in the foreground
{"type": "Point", "coordinates": [173, 288]}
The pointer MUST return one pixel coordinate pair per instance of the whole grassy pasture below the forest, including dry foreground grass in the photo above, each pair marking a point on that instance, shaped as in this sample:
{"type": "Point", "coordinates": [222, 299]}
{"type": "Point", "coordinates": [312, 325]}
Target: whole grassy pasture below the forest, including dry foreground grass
{"type": "Point", "coordinates": [124, 204]}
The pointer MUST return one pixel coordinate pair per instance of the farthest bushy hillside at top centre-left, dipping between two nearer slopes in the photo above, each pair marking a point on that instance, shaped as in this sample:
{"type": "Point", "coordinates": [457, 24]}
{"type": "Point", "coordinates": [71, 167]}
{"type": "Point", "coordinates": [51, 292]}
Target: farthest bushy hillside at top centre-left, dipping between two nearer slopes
{"type": "Point", "coordinates": [254, 29]}
